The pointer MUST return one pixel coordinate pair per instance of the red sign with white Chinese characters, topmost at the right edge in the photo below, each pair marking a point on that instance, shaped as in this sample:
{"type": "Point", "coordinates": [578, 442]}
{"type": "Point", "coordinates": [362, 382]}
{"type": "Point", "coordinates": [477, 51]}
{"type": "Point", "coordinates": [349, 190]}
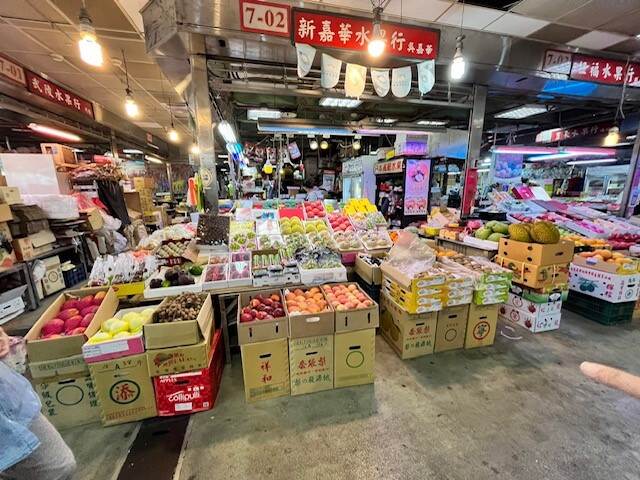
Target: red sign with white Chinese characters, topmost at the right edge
{"type": "Point", "coordinates": [611, 72]}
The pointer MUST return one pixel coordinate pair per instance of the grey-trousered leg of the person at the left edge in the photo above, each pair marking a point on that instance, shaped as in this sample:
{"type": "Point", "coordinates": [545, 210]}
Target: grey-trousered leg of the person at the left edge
{"type": "Point", "coordinates": [52, 460]}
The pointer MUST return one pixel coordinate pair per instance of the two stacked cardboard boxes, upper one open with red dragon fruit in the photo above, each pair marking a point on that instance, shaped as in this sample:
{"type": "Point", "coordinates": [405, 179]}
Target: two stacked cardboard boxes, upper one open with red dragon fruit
{"type": "Point", "coordinates": [60, 374]}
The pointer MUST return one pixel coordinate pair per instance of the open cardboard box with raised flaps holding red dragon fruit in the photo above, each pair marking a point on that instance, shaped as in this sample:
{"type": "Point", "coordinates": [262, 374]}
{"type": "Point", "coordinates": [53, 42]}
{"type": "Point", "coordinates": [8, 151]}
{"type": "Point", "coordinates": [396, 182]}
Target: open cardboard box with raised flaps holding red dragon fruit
{"type": "Point", "coordinates": [67, 346]}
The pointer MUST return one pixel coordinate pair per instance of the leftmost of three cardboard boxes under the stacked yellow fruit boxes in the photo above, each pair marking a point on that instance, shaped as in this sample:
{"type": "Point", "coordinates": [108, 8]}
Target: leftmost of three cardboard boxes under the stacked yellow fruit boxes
{"type": "Point", "coordinates": [410, 335]}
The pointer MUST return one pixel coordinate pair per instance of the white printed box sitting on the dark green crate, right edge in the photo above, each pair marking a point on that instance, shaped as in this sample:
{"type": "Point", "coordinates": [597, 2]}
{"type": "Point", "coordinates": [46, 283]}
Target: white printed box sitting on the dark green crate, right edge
{"type": "Point", "coordinates": [611, 287]}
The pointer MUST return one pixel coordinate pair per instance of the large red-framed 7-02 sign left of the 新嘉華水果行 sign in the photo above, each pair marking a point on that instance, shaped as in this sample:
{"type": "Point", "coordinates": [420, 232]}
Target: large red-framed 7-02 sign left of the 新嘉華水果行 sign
{"type": "Point", "coordinates": [264, 17]}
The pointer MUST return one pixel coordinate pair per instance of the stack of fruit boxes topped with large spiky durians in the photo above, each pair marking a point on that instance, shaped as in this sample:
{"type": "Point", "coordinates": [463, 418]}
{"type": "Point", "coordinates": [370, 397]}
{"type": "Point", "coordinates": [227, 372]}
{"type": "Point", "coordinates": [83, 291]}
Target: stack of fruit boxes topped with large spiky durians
{"type": "Point", "coordinates": [539, 260]}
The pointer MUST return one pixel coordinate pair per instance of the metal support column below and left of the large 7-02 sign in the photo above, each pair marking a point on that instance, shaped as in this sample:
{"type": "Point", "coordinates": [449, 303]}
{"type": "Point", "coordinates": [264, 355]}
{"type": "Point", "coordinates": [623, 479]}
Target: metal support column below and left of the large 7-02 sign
{"type": "Point", "coordinates": [205, 161]}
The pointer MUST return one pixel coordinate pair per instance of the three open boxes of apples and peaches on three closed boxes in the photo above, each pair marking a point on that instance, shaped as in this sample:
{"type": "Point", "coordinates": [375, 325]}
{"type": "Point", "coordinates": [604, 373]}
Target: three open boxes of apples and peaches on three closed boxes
{"type": "Point", "coordinates": [307, 340]}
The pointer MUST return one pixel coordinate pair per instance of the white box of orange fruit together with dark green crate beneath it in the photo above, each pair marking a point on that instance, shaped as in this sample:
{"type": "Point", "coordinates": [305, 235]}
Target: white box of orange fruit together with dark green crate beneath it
{"type": "Point", "coordinates": [604, 286]}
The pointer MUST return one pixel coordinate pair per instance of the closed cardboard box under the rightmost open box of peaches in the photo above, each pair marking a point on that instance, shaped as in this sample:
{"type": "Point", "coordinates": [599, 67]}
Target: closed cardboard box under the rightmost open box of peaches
{"type": "Point", "coordinates": [354, 357]}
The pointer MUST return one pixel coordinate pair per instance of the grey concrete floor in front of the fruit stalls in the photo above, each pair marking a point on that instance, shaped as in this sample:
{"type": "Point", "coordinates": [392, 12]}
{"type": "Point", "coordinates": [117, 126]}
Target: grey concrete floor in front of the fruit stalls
{"type": "Point", "coordinates": [517, 410]}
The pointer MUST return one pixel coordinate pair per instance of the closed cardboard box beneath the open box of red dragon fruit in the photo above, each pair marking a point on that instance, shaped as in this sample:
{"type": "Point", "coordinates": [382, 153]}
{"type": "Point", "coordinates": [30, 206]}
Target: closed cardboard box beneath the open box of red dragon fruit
{"type": "Point", "coordinates": [68, 401]}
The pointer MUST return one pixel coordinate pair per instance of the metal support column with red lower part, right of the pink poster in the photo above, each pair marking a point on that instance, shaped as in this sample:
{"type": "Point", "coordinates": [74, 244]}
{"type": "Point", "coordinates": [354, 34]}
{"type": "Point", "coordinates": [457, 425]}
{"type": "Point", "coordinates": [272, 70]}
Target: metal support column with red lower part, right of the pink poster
{"type": "Point", "coordinates": [476, 127]}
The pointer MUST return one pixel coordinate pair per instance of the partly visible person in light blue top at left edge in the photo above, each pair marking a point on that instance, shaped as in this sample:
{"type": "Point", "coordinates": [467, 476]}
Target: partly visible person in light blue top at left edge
{"type": "Point", "coordinates": [30, 447]}
